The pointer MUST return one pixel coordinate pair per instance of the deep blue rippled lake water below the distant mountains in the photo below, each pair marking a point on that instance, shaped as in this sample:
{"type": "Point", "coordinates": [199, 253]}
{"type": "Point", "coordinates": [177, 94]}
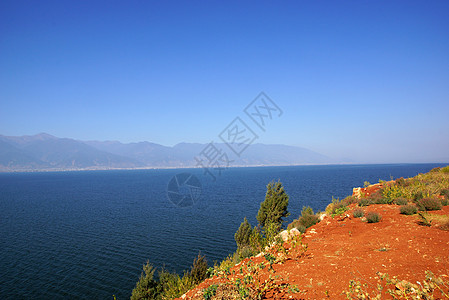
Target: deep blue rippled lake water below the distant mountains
{"type": "Point", "coordinates": [86, 235]}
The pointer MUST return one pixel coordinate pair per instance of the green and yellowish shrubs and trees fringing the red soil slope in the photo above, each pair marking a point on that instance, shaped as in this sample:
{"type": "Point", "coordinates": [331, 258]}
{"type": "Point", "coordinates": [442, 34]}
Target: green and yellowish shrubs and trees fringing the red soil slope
{"type": "Point", "coordinates": [423, 192]}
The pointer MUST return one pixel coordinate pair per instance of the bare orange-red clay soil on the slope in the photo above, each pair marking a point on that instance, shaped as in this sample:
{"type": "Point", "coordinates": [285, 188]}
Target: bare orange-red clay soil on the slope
{"type": "Point", "coordinates": [345, 248]}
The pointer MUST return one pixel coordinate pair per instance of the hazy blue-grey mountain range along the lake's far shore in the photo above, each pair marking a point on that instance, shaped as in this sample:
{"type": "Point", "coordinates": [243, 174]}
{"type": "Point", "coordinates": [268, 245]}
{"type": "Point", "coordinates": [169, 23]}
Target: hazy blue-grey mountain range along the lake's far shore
{"type": "Point", "coordinates": [47, 152]}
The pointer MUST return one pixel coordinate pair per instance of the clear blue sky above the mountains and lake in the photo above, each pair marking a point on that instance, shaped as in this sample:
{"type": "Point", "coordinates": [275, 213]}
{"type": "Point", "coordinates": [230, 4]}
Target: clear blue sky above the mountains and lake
{"type": "Point", "coordinates": [367, 80]}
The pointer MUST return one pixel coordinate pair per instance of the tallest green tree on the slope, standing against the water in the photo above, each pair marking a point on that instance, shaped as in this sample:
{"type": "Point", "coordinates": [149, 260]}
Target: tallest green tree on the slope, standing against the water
{"type": "Point", "coordinates": [274, 208]}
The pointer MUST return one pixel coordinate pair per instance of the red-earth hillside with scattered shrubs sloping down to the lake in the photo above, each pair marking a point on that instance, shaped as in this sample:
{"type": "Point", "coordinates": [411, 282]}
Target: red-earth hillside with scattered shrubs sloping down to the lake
{"type": "Point", "coordinates": [349, 254]}
